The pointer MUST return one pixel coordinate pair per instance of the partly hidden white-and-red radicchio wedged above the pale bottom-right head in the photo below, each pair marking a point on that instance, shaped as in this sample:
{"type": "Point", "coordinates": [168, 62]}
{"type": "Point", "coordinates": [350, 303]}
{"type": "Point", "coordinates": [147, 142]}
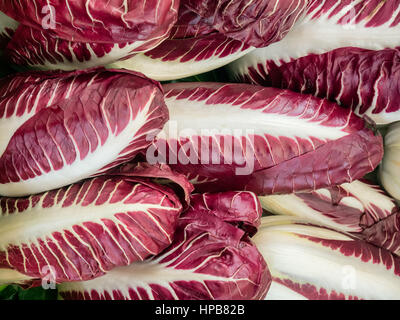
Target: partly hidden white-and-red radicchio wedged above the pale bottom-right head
{"type": "Point", "coordinates": [358, 207]}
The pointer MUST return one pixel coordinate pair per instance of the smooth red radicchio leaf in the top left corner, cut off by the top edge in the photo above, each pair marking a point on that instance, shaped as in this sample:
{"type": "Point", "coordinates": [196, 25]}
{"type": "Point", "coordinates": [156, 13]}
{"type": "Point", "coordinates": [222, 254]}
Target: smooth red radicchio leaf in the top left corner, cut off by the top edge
{"type": "Point", "coordinates": [114, 21]}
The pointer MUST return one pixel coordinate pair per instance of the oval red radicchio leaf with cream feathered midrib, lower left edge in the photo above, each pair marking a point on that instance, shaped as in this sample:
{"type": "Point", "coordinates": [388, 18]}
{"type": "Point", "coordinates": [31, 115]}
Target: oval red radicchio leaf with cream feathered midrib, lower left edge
{"type": "Point", "coordinates": [87, 229]}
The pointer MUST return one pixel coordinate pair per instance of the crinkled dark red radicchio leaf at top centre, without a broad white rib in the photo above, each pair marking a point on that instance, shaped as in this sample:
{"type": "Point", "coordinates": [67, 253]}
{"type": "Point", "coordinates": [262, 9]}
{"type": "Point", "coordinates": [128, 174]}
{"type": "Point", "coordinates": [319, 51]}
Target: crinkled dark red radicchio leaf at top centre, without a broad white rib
{"type": "Point", "coordinates": [256, 23]}
